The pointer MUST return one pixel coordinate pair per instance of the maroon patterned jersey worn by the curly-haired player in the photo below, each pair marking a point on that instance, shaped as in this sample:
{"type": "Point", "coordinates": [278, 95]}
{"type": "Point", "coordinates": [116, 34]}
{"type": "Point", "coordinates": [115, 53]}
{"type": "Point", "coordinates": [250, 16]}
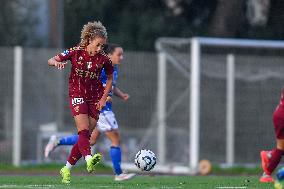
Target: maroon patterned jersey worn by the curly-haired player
{"type": "Point", "coordinates": [84, 79]}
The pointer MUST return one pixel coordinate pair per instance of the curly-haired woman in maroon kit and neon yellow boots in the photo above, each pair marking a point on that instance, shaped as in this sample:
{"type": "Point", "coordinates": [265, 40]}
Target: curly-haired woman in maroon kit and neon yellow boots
{"type": "Point", "coordinates": [86, 91]}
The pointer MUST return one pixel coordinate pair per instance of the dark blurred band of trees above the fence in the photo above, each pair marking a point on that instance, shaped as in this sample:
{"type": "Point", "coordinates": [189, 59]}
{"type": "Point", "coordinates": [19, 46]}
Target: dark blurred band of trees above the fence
{"type": "Point", "coordinates": [137, 24]}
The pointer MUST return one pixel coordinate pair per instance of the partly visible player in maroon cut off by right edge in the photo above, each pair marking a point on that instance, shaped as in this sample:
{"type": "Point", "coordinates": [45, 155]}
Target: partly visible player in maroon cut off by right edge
{"type": "Point", "coordinates": [270, 159]}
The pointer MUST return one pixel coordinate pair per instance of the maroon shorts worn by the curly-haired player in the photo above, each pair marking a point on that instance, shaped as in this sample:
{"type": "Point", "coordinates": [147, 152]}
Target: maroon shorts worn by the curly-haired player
{"type": "Point", "coordinates": [81, 106]}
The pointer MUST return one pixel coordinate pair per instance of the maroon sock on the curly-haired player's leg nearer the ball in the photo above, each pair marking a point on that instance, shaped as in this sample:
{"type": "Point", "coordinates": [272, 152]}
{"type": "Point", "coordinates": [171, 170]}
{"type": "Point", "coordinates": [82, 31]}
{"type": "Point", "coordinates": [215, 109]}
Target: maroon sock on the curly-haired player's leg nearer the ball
{"type": "Point", "coordinates": [84, 142]}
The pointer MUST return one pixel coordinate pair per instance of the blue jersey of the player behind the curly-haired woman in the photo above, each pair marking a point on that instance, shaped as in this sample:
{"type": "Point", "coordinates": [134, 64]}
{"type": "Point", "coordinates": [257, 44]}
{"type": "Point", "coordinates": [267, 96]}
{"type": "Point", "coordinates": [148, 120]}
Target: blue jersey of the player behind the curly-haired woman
{"type": "Point", "coordinates": [108, 106]}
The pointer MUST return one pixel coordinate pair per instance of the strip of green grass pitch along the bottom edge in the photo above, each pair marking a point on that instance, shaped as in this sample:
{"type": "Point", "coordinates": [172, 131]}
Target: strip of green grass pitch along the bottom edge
{"type": "Point", "coordinates": [140, 182]}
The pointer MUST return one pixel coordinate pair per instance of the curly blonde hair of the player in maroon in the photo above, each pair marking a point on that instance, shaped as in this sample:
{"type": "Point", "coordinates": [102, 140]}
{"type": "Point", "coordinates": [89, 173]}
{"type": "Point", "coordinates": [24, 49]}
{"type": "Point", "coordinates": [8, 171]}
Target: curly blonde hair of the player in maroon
{"type": "Point", "coordinates": [90, 31]}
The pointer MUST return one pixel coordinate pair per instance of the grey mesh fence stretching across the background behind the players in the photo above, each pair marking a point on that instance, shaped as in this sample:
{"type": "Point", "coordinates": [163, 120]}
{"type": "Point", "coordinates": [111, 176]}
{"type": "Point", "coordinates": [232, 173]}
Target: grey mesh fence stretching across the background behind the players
{"type": "Point", "coordinates": [45, 101]}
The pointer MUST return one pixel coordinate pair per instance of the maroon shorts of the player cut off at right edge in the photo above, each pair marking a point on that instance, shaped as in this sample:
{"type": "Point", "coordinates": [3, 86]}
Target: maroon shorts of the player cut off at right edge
{"type": "Point", "coordinates": [278, 121]}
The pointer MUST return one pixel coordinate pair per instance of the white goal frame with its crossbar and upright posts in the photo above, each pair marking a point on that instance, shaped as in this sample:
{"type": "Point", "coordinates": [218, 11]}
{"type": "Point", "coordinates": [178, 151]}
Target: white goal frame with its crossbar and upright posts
{"type": "Point", "coordinates": [194, 85]}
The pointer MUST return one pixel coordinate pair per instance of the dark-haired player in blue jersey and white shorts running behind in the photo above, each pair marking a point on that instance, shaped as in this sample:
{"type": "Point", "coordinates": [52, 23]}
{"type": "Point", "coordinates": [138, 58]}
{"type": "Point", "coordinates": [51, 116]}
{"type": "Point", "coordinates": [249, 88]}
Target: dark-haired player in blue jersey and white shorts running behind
{"type": "Point", "coordinates": [107, 123]}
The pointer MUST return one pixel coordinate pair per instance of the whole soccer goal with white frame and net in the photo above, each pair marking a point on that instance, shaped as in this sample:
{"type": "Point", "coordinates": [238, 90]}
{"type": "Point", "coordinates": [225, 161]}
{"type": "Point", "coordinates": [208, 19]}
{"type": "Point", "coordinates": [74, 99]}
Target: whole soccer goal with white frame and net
{"type": "Point", "coordinates": [219, 96]}
